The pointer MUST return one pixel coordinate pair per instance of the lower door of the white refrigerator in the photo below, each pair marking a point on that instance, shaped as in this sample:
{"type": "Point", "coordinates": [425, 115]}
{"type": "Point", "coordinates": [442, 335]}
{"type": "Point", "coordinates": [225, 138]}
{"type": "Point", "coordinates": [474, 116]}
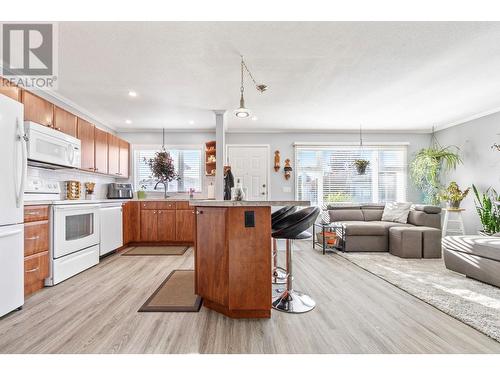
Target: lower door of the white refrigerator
{"type": "Point", "coordinates": [11, 268]}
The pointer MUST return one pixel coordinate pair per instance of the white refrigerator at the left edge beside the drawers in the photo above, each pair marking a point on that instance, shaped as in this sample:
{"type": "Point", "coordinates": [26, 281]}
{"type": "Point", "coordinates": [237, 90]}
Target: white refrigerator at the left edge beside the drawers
{"type": "Point", "coordinates": [13, 164]}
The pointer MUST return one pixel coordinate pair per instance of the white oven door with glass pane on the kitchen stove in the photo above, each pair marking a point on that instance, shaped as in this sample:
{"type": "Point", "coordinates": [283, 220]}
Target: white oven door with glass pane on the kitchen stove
{"type": "Point", "coordinates": [76, 227]}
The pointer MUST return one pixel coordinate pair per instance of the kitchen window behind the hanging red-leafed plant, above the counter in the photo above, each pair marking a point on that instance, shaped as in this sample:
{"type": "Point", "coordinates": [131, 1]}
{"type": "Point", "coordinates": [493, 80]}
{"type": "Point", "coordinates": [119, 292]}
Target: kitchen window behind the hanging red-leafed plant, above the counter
{"type": "Point", "coordinates": [187, 162]}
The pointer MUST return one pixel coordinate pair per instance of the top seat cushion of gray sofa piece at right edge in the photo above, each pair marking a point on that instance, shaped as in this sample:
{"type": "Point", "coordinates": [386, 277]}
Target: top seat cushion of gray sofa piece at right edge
{"type": "Point", "coordinates": [483, 246]}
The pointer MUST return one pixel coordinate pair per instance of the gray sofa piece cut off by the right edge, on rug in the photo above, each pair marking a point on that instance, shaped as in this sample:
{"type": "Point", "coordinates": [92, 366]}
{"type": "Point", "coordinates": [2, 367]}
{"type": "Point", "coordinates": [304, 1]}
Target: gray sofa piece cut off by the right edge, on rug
{"type": "Point", "coordinates": [477, 257]}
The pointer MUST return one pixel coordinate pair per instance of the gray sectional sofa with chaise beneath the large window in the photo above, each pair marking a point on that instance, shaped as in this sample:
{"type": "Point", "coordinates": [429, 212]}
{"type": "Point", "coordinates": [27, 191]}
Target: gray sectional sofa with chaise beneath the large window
{"type": "Point", "coordinates": [365, 231]}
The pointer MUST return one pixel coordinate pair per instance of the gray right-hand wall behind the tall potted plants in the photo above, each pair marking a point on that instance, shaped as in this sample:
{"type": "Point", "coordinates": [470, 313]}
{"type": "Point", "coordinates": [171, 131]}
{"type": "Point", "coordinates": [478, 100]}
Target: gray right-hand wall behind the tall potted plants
{"type": "Point", "coordinates": [481, 165]}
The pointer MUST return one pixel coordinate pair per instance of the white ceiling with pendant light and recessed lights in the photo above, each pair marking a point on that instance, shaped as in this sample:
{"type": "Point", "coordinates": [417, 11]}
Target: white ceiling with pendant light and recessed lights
{"type": "Point", "coordinates": [321, 75]}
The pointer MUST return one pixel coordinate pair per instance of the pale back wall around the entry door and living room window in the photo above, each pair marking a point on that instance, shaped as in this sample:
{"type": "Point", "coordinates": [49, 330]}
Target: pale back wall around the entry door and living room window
{"type": "Point", "coordinates": [284, 143]}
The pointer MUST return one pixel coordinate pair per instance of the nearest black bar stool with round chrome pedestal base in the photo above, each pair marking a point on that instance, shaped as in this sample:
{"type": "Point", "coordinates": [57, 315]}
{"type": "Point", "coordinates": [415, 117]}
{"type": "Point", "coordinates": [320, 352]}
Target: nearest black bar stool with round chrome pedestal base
{"type": "Point", "coordinates": [293, 227]}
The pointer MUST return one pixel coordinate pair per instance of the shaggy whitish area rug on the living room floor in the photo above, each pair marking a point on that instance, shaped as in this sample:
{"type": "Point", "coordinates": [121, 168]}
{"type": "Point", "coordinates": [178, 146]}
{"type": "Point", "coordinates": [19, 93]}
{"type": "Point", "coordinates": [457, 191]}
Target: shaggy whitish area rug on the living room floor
{"type": "Point", "coordinates": [470, 301]}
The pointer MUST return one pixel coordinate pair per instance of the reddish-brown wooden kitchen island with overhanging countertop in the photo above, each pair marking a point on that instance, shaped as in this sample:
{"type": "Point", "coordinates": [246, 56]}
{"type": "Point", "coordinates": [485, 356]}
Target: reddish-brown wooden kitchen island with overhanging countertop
{"type": "Point", "coordinates": [233, 256]}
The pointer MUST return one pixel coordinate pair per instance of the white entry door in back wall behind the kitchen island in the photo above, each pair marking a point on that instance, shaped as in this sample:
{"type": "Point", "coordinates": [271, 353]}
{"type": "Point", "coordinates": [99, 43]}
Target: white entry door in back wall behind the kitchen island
{"type": "Point", "coordinates": [250, 164]}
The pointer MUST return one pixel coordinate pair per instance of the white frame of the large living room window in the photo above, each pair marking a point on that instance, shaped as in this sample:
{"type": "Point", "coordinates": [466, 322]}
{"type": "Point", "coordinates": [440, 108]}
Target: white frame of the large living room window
{"type": "Point", "coordinates": [326, 145]}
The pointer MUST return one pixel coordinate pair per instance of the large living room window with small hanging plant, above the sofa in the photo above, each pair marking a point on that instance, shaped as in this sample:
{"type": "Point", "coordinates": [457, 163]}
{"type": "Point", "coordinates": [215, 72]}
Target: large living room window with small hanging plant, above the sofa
{"type": "Point", "coordinates": [326, 174]}
